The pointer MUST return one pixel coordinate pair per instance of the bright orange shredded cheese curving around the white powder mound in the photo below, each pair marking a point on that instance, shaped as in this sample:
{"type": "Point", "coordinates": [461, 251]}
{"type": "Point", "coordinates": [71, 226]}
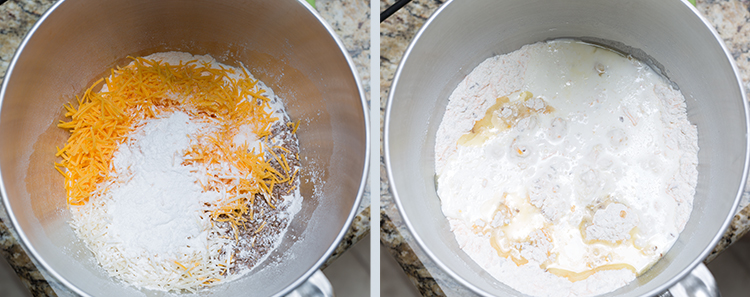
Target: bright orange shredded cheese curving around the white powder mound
{"type": "Point", "coordinates": [101, 121]}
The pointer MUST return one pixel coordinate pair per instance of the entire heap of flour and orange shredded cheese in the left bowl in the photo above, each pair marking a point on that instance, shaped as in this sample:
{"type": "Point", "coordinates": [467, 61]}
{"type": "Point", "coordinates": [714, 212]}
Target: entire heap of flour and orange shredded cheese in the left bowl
{"type": "Point", "coordinates": [198, 188]}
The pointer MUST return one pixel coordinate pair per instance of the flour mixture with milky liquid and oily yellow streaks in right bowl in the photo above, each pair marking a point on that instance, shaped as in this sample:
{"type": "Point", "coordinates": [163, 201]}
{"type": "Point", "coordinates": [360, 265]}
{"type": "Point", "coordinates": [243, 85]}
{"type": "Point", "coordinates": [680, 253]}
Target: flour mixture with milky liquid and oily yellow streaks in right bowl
{"type": "Point", "coordinates": [565, 169]}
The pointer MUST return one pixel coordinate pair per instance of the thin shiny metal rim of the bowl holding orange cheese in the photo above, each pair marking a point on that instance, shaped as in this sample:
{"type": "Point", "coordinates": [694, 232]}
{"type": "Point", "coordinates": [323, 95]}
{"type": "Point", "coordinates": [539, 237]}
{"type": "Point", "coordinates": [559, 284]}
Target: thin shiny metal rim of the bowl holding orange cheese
{"type": "Point", "coordinates": [25, 241]}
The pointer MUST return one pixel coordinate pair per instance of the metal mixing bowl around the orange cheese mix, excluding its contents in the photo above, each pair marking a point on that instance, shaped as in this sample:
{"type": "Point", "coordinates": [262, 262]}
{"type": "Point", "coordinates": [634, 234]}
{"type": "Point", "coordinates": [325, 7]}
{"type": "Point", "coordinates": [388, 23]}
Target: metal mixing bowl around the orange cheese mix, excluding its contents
{"type": "Point", "coordinates": [285, 43]}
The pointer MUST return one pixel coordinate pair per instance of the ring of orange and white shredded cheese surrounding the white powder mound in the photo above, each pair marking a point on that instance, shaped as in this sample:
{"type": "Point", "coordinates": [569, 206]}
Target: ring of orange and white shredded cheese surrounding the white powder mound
{"type": "Point", "coordinates": [105, 117]}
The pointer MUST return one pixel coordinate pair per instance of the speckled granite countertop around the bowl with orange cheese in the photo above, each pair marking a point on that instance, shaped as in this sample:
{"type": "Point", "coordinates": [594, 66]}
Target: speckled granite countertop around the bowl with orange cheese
{"type": "Point", "coordinates": [350, 20]}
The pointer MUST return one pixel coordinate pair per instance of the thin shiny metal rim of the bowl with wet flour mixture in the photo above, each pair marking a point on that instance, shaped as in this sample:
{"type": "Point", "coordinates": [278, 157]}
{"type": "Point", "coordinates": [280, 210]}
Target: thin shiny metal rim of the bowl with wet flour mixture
{"type": "Point", "coordinates": [394, 189]}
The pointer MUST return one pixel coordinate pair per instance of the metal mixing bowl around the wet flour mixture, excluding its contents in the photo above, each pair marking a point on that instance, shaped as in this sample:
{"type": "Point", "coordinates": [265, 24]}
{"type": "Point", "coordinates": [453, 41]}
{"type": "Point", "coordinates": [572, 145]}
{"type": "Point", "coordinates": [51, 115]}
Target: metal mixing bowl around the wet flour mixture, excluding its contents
{"type": "Point", "coordinates": [668, 34]}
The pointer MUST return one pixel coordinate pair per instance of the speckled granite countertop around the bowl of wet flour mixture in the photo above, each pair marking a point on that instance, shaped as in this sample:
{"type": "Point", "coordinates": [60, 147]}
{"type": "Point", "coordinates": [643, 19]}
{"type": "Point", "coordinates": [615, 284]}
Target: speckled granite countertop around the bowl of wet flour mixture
{"type": "Point", "coordinates": [729, 17]}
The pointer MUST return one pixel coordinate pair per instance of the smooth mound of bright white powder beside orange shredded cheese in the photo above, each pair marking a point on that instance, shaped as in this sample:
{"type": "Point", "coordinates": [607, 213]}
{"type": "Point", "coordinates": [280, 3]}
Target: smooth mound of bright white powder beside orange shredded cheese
{"type": "Point", "coordinates": [157, 208]}
